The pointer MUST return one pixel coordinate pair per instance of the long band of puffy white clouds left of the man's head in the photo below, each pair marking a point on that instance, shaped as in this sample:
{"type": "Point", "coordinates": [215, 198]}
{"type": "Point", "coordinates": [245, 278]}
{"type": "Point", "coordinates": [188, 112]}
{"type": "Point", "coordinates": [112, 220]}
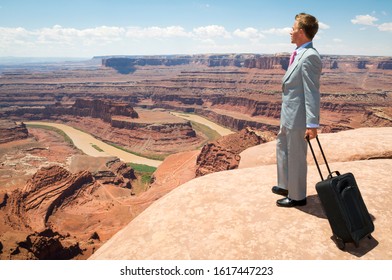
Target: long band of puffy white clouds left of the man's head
{"type": "Point", "coordinates": [57, 35]}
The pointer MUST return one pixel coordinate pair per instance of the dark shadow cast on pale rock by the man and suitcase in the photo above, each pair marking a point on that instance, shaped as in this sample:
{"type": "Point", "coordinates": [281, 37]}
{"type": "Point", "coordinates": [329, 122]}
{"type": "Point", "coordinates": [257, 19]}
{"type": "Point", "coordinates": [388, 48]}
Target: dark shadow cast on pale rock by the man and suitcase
{"type": "Point", "coordinates": [314, 207]}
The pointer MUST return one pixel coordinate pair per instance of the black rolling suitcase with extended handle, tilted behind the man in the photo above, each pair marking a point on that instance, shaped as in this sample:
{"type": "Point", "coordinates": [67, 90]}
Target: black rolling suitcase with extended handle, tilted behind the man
{"type": "Point", "coordinates": [344, 206]}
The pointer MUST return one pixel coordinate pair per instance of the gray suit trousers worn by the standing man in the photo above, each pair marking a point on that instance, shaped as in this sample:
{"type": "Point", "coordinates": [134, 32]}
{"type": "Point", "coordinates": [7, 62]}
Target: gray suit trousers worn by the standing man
{"type": "Point", "coordinates": [291, 150]}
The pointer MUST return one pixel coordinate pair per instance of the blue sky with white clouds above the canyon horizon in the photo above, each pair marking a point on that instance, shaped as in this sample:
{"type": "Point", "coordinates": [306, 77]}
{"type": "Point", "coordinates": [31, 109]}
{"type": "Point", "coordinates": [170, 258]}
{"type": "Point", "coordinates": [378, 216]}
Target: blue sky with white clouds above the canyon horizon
{"type": "Point", "coordinates": [87, 28]}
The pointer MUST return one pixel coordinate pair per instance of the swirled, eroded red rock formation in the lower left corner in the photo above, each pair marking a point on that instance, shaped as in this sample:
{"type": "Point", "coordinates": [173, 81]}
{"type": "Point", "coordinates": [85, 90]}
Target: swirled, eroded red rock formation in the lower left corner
{"type": "Point", "coordinates": [34, 215]}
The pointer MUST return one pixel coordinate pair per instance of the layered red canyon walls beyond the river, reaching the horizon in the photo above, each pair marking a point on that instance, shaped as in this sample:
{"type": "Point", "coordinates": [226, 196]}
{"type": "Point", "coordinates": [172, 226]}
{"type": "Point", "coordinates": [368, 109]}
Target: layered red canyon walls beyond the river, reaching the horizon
{"type": "Point", "coordinates": [234, 90]}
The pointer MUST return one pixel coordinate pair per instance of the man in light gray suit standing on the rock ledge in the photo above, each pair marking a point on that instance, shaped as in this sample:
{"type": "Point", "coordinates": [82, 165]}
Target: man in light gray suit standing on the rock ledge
{"type": "Point", "coordinates": [300, 113]}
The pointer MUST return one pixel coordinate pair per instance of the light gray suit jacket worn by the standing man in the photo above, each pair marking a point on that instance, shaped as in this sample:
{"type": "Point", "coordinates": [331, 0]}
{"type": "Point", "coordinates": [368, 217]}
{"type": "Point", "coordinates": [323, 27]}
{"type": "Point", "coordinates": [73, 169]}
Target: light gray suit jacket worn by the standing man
{"type": "Point", "coordinates": [301, 90]}
